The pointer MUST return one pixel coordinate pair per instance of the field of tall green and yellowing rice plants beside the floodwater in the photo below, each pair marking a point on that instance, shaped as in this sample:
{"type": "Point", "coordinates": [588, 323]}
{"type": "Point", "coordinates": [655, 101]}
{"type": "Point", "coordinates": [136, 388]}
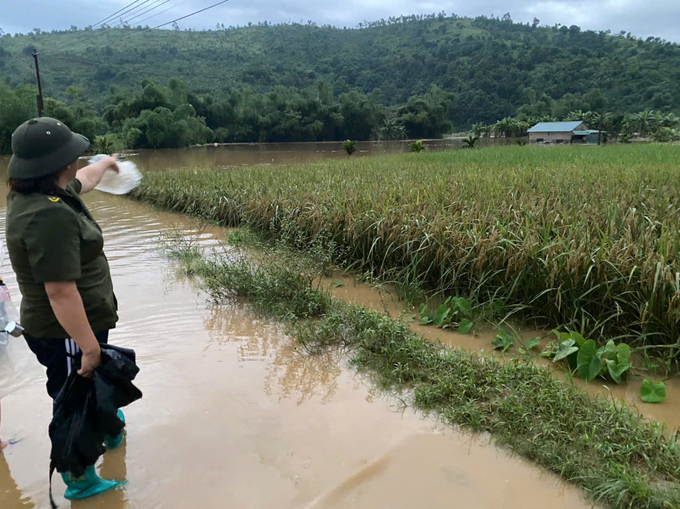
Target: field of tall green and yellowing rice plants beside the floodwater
{"type": "Point", "coordinates": [582, 238]}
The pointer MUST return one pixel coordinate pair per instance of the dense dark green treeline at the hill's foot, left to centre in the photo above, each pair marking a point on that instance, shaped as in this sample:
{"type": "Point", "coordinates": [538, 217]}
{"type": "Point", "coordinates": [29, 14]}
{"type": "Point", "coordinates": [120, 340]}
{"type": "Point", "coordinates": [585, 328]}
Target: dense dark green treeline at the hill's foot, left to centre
{"type": "Point", "coordinates": [172, 116]}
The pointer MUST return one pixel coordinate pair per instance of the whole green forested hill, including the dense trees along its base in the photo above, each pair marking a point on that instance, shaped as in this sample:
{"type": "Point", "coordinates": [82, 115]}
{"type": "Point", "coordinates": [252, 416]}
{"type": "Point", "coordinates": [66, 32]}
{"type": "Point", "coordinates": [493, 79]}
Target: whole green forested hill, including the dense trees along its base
{"type": "Point", "coordinates": [414, 76]}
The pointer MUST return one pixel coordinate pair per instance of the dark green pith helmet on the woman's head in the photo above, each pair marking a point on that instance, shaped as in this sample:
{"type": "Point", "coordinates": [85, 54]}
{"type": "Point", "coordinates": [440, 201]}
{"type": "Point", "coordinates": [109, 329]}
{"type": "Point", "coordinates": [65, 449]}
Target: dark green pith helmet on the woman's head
{"type": "Point", "coordinates": [43, 146]}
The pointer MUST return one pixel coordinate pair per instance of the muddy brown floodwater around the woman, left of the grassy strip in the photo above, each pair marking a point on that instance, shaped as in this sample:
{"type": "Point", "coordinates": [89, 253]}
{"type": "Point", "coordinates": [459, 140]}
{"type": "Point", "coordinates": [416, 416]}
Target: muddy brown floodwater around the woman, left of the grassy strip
{"type": "Point", "coordinates": [234, 415]}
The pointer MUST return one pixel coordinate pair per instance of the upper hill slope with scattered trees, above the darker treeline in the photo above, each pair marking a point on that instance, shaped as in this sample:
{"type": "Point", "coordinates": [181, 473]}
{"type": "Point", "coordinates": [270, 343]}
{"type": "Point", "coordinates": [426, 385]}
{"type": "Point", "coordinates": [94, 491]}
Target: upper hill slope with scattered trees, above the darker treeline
{"type": "Point", "coordinates": [492, 66]}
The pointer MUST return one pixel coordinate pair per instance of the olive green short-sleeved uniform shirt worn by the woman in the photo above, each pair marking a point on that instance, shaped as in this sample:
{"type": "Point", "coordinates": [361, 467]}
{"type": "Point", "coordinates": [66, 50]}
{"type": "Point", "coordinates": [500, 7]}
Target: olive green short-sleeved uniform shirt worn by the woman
{"type": "Point", "coordinates": [52, 239]}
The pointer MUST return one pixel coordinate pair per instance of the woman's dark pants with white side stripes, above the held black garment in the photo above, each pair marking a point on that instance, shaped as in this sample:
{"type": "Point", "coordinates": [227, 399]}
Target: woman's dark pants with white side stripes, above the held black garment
{"type": "Point", "coordinates": [60, 357]}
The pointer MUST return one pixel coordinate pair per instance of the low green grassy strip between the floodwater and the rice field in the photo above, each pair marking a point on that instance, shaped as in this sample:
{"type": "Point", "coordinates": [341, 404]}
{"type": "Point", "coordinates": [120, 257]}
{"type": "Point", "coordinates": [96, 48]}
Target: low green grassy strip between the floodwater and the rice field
{"type": "Point", "coordinates": [607, 450]}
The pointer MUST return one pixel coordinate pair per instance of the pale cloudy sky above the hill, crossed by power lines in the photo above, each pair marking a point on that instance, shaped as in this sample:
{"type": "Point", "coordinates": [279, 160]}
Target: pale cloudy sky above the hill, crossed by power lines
{"type": "Point", "coordinates": [659, 18]}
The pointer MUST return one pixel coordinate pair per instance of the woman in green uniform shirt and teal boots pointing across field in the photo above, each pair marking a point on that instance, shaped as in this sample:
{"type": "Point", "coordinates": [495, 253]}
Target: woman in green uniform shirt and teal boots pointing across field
{"type": "Point", "coordinates": [56, 250]}
